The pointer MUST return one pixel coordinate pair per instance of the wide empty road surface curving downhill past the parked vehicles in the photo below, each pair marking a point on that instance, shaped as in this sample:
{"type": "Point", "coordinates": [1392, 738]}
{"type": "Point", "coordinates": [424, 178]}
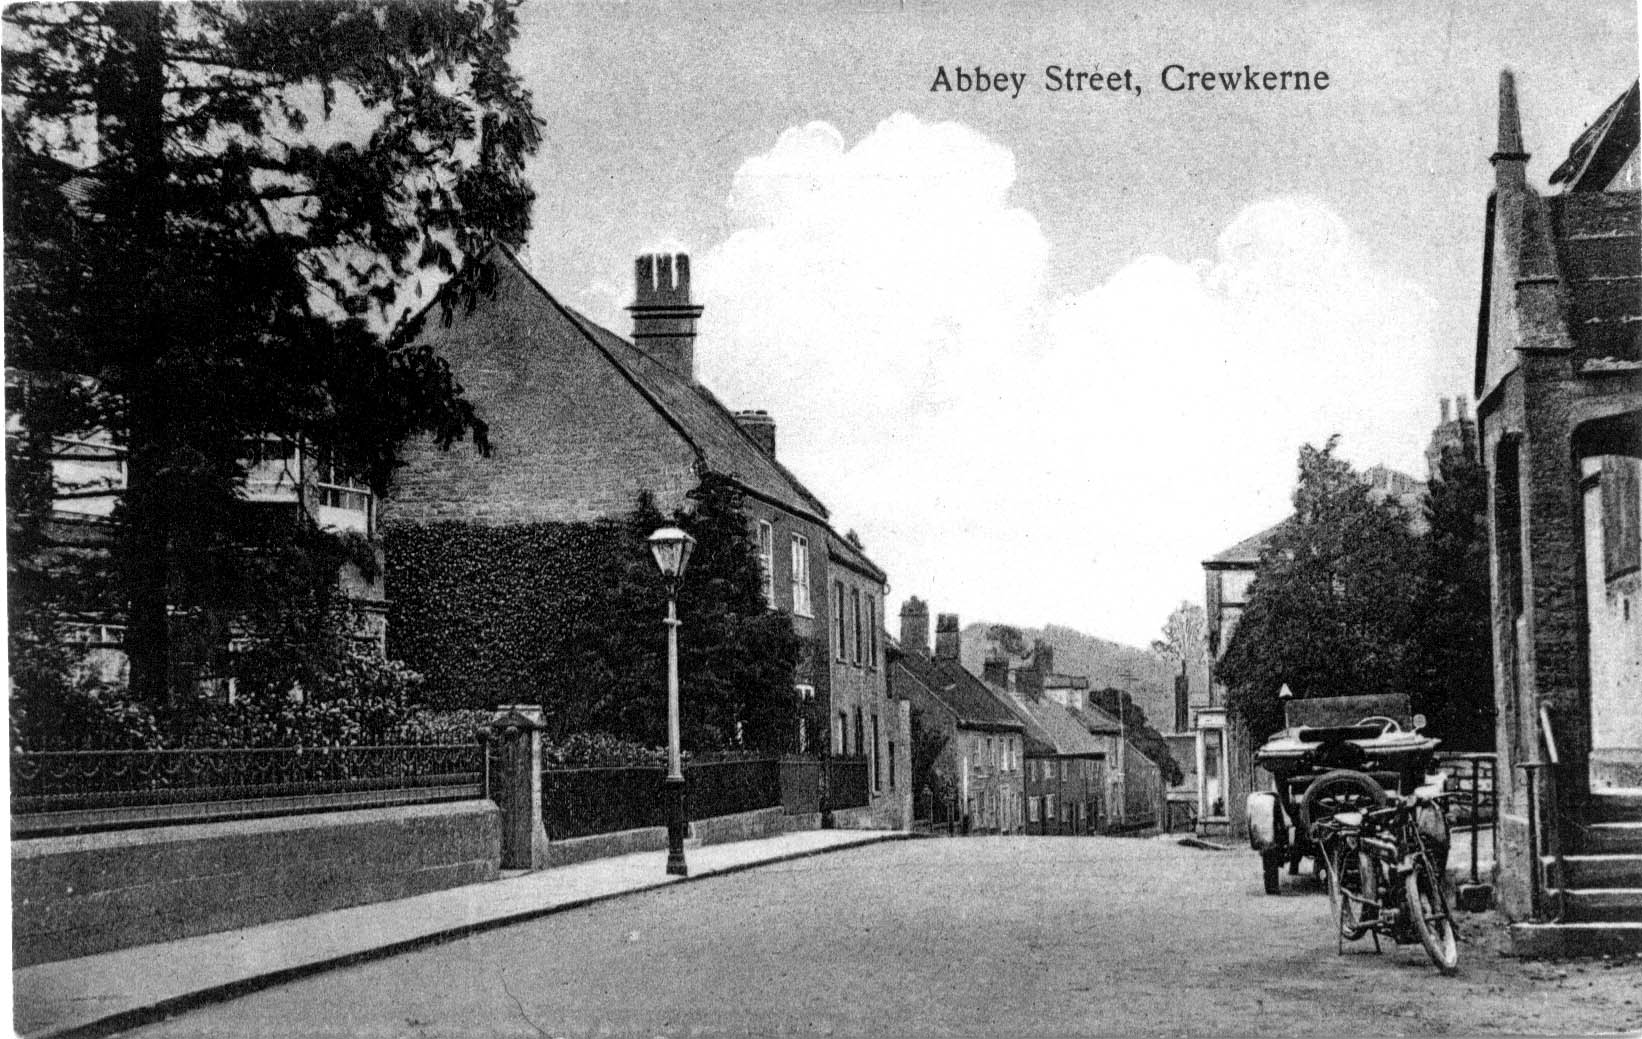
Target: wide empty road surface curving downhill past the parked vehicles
{"type": "Point", "coordinates": [986, 936]}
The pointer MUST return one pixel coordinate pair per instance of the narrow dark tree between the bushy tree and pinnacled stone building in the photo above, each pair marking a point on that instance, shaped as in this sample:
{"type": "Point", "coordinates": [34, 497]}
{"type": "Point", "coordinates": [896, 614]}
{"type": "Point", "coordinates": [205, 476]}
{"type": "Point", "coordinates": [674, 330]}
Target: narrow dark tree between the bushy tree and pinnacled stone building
{"type": "Point", "coordinates": [1454, 661]}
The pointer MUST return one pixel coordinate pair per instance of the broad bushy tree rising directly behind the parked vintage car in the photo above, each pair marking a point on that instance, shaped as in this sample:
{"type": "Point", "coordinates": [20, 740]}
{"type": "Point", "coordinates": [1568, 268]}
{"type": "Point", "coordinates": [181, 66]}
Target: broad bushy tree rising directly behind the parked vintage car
{"type": "Point", "coordinates": [1336, 600]}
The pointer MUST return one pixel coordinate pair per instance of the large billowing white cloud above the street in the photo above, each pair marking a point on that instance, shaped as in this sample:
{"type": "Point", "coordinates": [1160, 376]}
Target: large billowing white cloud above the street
{"type": "Point", "coordinates": [1014, 455]}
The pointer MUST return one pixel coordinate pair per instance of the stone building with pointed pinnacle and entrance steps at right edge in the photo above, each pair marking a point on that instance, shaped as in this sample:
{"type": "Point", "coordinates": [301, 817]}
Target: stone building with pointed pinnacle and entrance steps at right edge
{"type": "Point", "coordinates": [1559, 387]}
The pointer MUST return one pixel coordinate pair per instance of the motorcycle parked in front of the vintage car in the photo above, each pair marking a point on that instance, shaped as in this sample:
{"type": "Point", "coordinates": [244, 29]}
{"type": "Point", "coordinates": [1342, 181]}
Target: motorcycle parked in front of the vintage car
{"type": "Point", "coordinates": [1388, 876]}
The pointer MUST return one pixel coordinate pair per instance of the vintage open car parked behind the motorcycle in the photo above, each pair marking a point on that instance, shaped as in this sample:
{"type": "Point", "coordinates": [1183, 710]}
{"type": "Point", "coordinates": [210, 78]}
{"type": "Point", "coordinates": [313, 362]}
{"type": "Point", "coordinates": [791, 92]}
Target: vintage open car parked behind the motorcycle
{"type": "Point", "coordinates": [1336, 754]}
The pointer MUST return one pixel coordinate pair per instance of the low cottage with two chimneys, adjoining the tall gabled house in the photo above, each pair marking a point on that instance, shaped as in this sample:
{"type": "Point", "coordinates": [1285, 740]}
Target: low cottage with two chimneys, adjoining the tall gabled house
{"type": "Point", "coordinates": [984, 751]}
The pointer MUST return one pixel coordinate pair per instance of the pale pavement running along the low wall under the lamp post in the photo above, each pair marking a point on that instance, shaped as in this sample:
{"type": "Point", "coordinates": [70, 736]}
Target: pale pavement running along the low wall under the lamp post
{"type": "Point", "coordinates": [117, 991]}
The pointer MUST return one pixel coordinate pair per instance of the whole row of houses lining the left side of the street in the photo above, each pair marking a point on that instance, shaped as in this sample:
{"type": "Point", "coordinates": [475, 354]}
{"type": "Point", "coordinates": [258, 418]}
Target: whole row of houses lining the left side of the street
{"type": "Point", "coordinates": [582, 423]}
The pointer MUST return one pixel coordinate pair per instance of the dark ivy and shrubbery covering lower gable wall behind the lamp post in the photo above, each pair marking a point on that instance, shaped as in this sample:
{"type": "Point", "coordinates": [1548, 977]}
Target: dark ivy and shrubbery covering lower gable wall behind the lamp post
{"type": "Point", "coordinates": [569, 616]}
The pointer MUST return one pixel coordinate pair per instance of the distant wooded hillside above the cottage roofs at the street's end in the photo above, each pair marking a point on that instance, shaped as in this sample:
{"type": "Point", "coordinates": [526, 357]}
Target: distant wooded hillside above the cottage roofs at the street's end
{"type": "Point", "coordinates": [1145, 675]}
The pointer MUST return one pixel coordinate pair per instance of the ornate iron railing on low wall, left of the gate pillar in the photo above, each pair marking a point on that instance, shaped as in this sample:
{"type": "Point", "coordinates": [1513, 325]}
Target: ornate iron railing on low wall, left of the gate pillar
{"type": "Point", "coordinates": [86, 790]}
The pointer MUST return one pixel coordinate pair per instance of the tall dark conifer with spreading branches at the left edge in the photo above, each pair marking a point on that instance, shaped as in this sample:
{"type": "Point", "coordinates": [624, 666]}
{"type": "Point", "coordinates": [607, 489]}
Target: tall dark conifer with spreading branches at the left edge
{"type": "Point", "coordinates": [219, 219]}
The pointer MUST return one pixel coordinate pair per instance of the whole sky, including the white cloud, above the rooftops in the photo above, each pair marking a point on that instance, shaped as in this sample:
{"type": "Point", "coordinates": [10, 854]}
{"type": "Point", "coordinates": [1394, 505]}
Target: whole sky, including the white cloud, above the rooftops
{"type": "Point", "coordinates": [1048, 352]}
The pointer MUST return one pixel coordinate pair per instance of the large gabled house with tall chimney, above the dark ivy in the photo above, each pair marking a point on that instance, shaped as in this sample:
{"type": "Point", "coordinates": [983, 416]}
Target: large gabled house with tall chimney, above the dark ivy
{"type": "Point", "coordinates": [584, 421]}
